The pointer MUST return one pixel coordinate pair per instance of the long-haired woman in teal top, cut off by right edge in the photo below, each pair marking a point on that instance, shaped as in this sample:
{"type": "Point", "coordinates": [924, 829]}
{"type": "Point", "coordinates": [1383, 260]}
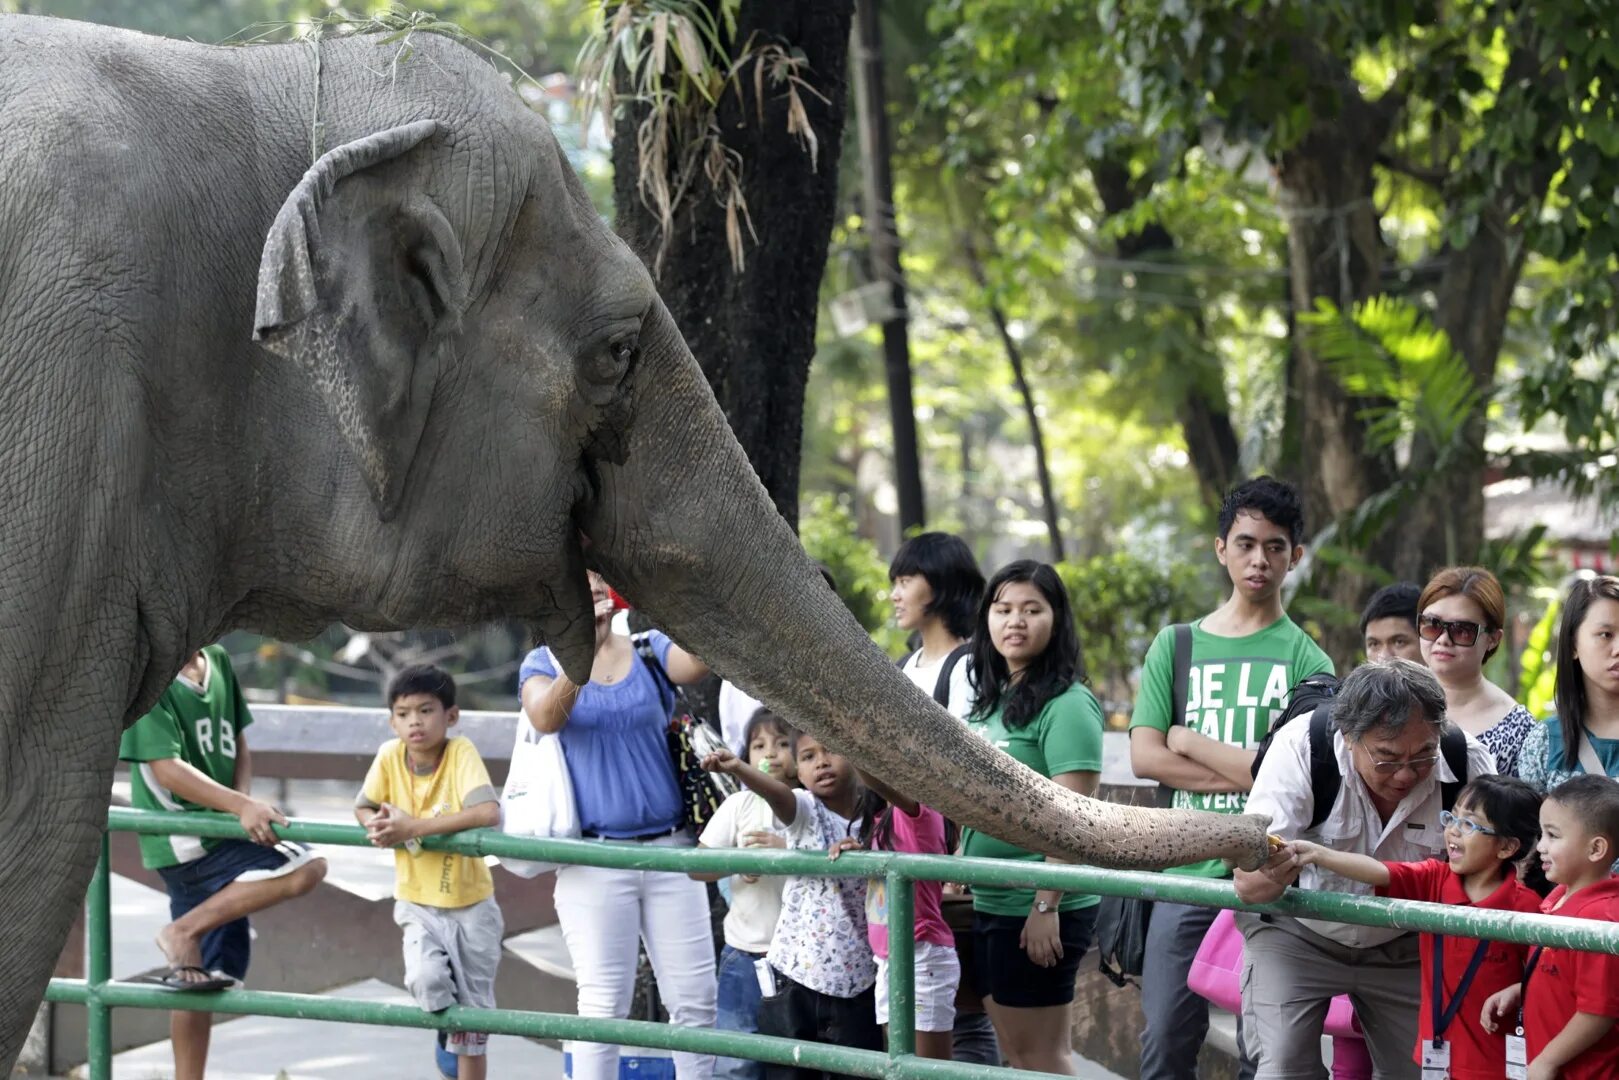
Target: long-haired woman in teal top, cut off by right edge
{"type": "Point", "coordinates": [1587, 723]}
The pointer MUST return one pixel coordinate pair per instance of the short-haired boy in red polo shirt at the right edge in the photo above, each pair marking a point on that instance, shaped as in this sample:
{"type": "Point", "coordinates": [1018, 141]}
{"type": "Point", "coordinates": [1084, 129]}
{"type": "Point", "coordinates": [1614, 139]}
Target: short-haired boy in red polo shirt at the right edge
{"type": "Point", "coordinates": [1570, 1000]}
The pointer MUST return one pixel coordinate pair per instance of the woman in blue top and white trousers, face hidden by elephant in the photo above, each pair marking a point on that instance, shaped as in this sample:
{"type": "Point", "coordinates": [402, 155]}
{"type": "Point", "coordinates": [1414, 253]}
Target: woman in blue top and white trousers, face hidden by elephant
{"type": "Point", "coordinates": [624, 783]}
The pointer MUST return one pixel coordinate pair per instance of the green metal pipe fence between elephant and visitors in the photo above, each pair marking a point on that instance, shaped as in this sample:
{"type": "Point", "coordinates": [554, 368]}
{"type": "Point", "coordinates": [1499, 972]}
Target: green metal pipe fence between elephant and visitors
{"type": "Point", "coordinates": [101, 995]}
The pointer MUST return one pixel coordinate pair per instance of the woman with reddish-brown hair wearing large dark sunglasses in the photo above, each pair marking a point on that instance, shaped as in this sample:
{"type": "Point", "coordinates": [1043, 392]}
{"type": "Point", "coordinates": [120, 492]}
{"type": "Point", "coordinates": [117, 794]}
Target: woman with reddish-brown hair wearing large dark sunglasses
{"type": "Point", "coordinates": [1460, 621]}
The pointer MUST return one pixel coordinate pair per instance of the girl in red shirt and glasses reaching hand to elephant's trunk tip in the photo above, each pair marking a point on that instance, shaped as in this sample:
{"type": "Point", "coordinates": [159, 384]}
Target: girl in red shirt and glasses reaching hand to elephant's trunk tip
{"type": "Point", "coordinates": [1489, 836]}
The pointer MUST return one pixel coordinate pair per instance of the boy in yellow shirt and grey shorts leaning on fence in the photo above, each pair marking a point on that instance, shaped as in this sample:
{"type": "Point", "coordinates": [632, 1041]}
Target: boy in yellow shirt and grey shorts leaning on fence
{"type": "Point", "coordinates": [428, 784]}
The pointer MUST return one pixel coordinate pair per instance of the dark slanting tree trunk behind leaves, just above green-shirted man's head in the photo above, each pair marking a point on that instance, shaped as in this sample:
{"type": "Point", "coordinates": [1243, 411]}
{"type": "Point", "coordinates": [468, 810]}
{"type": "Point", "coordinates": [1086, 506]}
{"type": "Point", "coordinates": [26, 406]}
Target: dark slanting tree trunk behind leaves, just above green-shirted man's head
{"type": "Point", "coordinates": [1204, 409]}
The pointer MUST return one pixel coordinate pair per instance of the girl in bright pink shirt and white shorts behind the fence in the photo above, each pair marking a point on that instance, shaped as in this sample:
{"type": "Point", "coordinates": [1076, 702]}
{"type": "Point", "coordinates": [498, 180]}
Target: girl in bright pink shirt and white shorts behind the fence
{"type": "Point", "coordinates": [904, 825]}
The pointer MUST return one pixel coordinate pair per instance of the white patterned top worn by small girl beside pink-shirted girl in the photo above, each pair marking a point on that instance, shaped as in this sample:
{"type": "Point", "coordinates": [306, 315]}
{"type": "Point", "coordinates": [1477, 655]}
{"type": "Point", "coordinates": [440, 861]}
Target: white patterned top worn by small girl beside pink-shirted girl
{"type": "Point", "coordinates": [822, 937]}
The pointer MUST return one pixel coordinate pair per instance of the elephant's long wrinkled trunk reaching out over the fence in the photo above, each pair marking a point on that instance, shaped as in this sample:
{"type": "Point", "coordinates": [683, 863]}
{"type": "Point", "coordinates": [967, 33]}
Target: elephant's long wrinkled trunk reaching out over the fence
{"type": "Point", "coordinates": [687, 532]}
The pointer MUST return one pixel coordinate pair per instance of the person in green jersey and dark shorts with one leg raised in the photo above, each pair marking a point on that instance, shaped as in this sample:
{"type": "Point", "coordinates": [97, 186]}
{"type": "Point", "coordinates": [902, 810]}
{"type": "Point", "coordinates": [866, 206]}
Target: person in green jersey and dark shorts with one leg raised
{"type": "Point", "coordinates": [190, 754]}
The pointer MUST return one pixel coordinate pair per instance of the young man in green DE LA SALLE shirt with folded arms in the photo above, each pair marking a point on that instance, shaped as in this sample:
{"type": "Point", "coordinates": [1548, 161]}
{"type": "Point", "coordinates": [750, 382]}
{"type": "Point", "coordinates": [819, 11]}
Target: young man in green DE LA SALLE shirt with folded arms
{"type": "Point", "coordinates": [1246, 658]}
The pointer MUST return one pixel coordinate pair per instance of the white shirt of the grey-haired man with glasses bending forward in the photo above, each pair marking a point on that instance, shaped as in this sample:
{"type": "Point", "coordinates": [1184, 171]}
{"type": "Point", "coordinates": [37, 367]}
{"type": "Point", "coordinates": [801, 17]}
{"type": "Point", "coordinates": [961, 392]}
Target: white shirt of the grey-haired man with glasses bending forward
{"type": "Point", "coordinates": [1354, 825]}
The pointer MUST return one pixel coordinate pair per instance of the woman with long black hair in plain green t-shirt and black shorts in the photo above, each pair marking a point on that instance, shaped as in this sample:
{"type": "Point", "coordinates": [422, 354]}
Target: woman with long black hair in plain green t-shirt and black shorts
{"type": "Point", "coordinates": [1034, 705]}
